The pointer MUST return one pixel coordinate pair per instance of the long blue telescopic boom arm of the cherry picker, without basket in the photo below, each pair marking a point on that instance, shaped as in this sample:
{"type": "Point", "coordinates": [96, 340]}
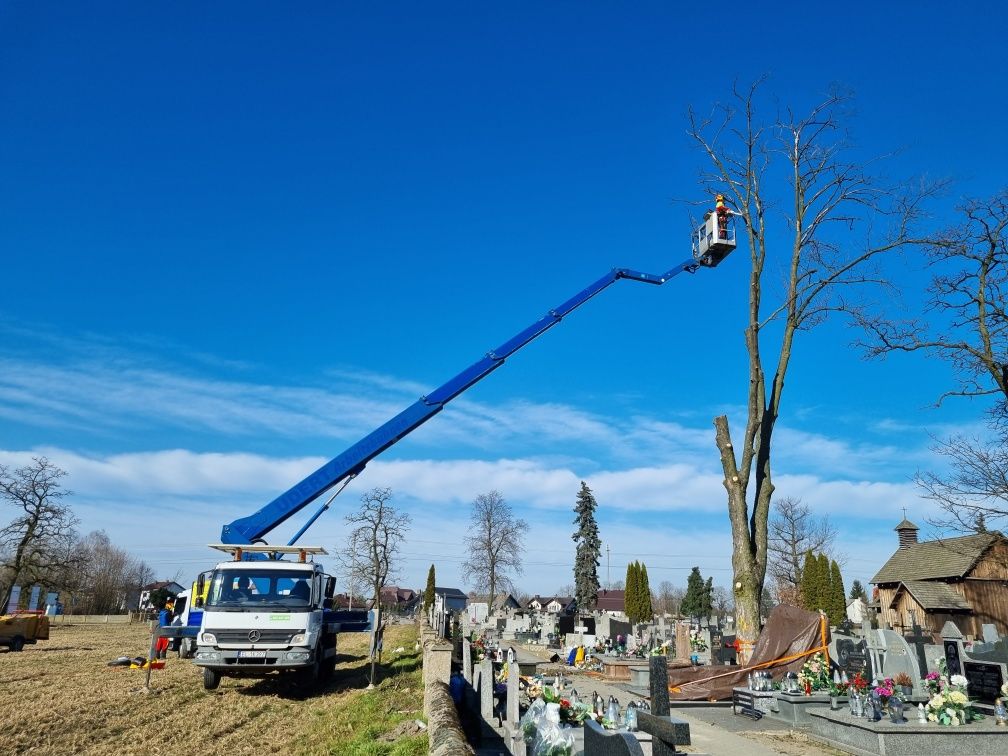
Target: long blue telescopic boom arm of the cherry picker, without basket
{"type": "Point", "coordinates": [348, 465]}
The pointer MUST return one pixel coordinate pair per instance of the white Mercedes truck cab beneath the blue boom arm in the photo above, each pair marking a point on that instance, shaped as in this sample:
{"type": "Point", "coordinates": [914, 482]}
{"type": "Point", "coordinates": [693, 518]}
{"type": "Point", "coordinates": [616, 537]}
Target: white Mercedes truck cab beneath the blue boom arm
{"type": "Point", "coordinates": [269, 615]}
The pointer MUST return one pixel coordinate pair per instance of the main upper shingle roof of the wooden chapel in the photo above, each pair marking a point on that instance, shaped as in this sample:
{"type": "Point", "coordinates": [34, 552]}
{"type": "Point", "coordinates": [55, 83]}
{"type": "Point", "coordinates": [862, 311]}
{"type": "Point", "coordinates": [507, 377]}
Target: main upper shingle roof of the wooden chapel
{"type": "Point", "coordinates": [936, 560]}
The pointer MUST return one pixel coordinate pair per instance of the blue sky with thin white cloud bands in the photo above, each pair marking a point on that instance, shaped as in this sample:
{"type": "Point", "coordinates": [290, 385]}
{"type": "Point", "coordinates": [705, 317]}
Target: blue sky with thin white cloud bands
{"type": "Point", "coordinates": [237, 238]}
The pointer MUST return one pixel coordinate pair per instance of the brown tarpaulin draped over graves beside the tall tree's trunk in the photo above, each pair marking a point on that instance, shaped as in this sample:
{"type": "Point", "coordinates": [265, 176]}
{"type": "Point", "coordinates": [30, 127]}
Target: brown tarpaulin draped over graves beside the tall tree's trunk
{"type": "Point", "coordinates": [789, 633]}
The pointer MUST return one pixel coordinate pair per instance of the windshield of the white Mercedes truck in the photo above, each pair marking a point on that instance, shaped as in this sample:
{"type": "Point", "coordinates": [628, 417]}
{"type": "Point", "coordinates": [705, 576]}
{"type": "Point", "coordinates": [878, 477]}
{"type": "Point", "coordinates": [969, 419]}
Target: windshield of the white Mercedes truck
{"type": "Point", "coordinates": [240, 590]}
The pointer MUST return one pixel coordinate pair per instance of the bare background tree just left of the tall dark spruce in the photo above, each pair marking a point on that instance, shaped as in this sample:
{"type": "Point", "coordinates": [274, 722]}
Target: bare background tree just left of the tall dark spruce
{"type": "Point", "coordinates": [495, 545]}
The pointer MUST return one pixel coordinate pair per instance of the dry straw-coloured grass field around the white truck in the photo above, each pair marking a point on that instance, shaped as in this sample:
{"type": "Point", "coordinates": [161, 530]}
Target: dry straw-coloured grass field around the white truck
{"type": "Point", "coordinates": [61, 697]}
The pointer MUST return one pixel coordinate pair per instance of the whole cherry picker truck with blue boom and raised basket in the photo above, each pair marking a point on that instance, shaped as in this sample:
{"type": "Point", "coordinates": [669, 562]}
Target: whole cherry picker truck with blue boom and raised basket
{"type": "Point", "coordinates": [263, 614]}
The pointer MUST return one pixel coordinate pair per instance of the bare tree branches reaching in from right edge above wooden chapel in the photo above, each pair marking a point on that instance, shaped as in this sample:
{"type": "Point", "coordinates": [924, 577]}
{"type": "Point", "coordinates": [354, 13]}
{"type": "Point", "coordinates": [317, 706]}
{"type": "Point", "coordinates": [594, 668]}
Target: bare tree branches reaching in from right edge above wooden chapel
{"type": "Point", "coordinates": [966, 325]}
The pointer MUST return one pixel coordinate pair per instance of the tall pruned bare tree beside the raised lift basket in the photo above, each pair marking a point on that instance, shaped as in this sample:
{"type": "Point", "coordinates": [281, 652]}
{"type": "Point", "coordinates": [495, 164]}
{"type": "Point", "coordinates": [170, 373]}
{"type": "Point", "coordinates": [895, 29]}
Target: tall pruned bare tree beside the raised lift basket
{"type": "Point", "coordinates": [820, 272]}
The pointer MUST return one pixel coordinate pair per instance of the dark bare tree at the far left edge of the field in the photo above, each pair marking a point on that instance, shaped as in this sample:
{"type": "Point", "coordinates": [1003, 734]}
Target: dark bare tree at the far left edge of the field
{"type": "Point", "coordinates": [38, 544]}
